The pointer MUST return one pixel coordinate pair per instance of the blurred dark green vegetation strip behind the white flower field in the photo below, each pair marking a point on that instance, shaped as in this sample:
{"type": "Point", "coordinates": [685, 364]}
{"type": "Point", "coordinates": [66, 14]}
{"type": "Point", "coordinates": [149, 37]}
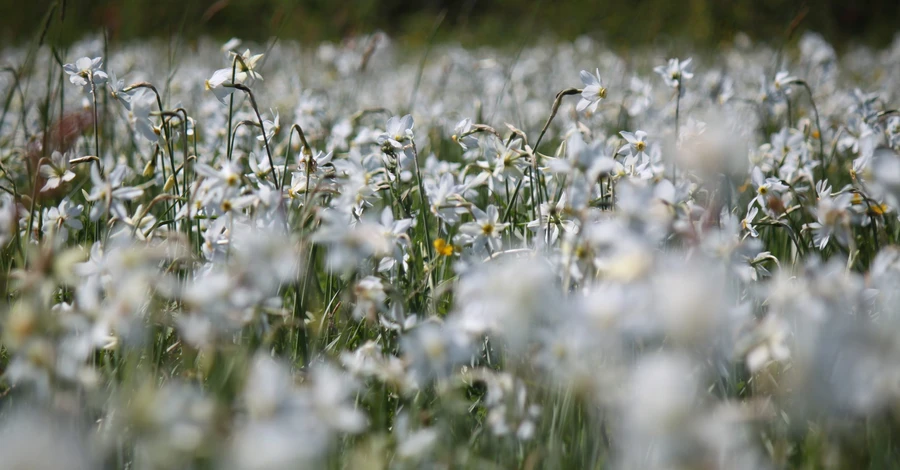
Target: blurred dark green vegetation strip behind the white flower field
{"type": "Point", "coordinates": [621, 23]}
